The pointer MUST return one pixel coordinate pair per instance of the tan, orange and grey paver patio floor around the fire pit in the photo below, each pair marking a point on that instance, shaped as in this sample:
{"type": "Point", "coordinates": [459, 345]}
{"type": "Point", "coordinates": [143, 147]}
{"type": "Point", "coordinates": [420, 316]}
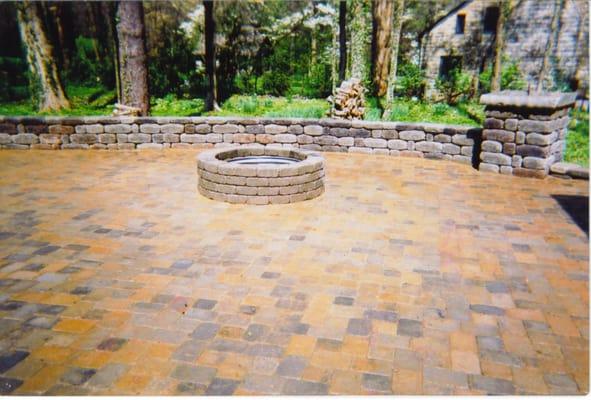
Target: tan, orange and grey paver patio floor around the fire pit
{"type": "Point", "coordinates": [406, 276]}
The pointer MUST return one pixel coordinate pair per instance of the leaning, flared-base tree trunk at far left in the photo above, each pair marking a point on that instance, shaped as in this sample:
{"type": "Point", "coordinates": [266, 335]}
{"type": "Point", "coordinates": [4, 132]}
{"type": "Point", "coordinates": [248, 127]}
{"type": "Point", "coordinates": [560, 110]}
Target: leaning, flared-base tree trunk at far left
{"type": "Point", "coordinates": [45, 82]}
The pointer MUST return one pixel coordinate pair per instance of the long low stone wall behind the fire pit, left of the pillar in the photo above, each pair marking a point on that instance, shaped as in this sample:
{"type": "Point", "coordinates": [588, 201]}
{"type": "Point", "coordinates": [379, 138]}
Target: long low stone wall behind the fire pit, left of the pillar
{"type": "Point", "coordinates": [456, 143]}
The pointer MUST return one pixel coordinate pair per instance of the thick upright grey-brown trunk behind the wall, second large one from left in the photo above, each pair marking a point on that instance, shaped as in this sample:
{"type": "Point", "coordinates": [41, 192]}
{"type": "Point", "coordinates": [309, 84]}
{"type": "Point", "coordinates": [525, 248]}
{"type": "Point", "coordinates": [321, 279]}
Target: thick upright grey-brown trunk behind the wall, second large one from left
{"type": "Point", "coordinates": [132, 56]}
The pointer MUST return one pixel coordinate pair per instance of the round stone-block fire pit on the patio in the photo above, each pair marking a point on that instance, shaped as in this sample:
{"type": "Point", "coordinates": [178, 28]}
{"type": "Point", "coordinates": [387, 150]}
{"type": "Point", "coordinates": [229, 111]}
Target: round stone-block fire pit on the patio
{"type": "Point", "coordinates": [260, 175]}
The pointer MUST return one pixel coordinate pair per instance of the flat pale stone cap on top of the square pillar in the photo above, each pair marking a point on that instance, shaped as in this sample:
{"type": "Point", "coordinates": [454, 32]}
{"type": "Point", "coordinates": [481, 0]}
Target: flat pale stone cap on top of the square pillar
{"type": "Point", "coordinates": [517, 98]}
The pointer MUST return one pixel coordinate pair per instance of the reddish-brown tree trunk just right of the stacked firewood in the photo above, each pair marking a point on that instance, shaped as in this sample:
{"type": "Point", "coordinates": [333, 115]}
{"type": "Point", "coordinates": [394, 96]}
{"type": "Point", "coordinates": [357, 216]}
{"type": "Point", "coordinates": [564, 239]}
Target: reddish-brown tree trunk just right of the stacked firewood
{"type": "Point", "coordinates": [381, 45]}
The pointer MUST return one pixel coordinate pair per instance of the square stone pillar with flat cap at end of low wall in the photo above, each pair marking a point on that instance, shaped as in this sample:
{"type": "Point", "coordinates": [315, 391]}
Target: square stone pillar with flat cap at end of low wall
{"type": "Point", "coordinates": [524, 134]}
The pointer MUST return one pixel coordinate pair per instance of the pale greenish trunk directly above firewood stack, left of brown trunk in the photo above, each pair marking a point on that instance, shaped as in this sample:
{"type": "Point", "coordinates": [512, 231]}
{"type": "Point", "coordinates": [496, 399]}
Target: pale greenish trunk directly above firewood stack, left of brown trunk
{"type": "Point", "coordinates": [360, 40]}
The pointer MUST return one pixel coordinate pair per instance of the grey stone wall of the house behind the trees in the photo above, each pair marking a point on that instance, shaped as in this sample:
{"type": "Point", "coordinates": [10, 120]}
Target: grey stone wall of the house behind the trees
{"type": "Point", "coordinates": [527, 33]}
